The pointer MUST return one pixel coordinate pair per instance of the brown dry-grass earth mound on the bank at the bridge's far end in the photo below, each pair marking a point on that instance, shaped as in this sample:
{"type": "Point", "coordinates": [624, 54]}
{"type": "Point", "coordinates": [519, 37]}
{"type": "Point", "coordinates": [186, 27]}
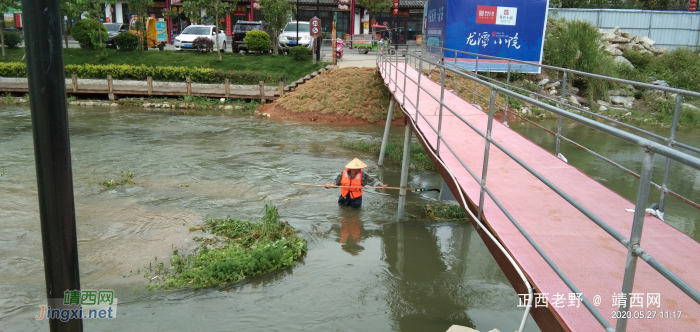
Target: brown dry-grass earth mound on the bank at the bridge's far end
{"type": "Point", "coordinates": [355, 92]}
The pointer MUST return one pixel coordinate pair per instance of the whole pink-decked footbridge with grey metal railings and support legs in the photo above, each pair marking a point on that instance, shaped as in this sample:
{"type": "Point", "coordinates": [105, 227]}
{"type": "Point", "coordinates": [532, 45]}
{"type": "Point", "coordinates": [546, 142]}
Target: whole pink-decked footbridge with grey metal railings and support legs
{"type": "Point", "coordinates": [570, 246]}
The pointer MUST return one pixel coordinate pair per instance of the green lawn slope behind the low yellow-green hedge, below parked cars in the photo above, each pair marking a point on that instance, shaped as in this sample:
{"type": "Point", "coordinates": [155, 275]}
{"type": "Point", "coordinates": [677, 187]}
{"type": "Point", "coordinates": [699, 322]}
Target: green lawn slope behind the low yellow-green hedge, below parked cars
{"type": "Point", "coordinates": [231, 61]}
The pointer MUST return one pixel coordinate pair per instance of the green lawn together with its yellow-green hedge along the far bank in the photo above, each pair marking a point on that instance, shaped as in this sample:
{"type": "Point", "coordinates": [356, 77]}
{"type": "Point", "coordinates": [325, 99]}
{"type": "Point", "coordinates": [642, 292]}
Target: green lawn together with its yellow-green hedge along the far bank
{"type": "Point", "coordinates": [170, 66]}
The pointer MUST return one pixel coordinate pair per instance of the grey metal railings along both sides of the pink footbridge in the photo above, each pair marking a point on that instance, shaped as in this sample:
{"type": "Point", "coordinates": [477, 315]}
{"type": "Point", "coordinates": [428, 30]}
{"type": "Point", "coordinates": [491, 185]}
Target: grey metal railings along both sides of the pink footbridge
{"type": "Point", "coordinates": [392, 65]}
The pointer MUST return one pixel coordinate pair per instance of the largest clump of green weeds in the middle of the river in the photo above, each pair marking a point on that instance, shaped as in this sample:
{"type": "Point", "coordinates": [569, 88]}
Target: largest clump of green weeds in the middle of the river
{"type": "Point", "coordinates": [239, 249]}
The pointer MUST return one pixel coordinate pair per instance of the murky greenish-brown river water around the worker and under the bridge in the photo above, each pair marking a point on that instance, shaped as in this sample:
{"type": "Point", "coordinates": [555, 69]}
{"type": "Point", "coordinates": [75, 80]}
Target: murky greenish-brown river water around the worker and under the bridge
{"type": "Point", "coordinates": [364, 271]}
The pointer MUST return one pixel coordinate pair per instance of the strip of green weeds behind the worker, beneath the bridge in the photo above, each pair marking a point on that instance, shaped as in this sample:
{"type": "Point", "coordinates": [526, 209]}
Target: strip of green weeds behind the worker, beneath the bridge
{"type": "Point", "coordinates": [394, 151]}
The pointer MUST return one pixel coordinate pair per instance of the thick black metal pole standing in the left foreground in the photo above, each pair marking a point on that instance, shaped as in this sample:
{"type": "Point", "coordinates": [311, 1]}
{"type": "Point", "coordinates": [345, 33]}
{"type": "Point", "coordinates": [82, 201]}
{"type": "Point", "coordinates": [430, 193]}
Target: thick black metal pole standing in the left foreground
{"type": "Point", "coordinates": [47, 96]}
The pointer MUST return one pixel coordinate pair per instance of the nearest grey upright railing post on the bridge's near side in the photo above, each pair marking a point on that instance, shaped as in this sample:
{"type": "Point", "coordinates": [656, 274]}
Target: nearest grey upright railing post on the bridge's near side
{"type": "Point", "coordinates": [636, 235]}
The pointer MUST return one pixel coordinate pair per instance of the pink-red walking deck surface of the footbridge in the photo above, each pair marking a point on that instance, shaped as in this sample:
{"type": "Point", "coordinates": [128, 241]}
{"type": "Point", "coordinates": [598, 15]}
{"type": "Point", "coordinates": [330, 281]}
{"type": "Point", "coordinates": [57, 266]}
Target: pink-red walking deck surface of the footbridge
{"type": "Point", "coordinates": [592, 259]}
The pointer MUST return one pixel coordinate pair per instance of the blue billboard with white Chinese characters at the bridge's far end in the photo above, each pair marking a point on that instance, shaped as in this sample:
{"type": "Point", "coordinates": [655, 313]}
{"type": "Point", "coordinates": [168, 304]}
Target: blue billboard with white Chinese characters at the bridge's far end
{"type": "Point", "coordinates": [512, 29]}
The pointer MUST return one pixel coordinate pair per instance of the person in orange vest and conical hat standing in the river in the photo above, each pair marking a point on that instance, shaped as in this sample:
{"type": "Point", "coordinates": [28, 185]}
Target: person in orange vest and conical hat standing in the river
{"type": "Point", "coordinates": [353, 176]}
